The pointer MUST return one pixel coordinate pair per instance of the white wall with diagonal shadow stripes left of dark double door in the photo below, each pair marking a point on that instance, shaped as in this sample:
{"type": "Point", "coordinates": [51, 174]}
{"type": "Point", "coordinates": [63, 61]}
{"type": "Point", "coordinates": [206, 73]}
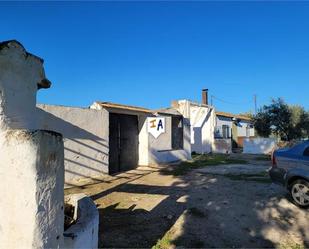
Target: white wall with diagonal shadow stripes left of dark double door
{"type": "Point", "coordinates": [85, 133]}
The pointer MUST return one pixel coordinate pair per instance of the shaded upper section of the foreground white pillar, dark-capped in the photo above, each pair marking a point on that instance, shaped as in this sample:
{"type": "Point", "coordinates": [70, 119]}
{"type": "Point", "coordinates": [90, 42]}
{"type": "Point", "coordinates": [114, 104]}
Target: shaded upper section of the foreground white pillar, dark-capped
{"type": "Point", "coordinates": [19, 76]}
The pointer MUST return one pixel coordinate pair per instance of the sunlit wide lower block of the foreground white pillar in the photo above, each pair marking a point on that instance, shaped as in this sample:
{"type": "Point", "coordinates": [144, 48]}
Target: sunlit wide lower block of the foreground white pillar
{"type": "Point", "coordinates": [31, 203]}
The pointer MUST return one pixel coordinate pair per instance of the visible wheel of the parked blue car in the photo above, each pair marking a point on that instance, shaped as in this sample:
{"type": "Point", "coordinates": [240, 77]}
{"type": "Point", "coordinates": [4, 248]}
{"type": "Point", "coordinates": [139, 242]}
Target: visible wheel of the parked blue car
{"type": "Point", "coordinates": [300, 193]}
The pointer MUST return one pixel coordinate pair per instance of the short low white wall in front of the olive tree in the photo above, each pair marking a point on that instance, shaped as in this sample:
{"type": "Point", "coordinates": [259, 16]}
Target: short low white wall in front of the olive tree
{"type": "Point", "coordinates": [259, 145]}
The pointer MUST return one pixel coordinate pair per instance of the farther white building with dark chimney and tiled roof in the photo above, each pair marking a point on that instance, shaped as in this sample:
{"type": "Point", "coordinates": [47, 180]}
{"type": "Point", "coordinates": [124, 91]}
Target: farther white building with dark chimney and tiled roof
{"type": "Point", "coordinates": [213, 131]}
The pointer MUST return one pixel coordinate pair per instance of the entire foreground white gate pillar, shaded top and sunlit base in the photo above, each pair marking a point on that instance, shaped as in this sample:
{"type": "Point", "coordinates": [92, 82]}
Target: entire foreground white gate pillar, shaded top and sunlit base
{"type": "Point", "coordinates": [31, 165]}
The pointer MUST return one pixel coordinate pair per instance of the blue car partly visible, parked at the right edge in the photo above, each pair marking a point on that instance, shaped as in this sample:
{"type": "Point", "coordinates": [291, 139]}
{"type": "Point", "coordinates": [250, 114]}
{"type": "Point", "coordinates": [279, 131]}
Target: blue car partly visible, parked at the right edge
{"type": "Point", "coordinates": [290, 167]}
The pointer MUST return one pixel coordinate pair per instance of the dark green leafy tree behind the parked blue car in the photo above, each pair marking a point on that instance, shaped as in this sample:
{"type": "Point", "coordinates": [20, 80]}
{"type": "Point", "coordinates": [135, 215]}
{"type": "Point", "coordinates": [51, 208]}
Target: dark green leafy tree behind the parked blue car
{"type": "Point", "coordinates": [282, 120]}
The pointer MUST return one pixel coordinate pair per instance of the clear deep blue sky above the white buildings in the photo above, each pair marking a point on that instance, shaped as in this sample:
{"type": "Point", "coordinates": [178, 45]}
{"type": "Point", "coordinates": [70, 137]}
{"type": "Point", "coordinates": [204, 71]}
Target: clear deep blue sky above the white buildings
{"type": "Point", "coordinates": [149, 53]}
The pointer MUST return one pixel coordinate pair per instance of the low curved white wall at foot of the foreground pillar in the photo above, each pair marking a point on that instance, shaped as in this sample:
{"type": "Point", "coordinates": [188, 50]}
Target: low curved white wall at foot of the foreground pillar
{"type": "Point", "coordinates": [84, 233]}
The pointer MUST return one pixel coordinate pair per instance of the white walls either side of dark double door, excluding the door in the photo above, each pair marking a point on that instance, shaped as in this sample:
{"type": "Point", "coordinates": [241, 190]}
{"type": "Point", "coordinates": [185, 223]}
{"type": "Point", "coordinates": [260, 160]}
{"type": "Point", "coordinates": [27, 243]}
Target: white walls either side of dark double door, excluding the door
{"type": "Point", "coordinates": [86, 140]}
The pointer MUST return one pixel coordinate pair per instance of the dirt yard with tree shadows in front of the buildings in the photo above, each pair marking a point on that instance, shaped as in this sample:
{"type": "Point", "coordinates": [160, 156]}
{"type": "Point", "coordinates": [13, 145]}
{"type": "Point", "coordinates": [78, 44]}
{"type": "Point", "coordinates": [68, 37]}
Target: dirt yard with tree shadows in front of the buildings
{"type": "Point", "coordinates": [223, 208]}
